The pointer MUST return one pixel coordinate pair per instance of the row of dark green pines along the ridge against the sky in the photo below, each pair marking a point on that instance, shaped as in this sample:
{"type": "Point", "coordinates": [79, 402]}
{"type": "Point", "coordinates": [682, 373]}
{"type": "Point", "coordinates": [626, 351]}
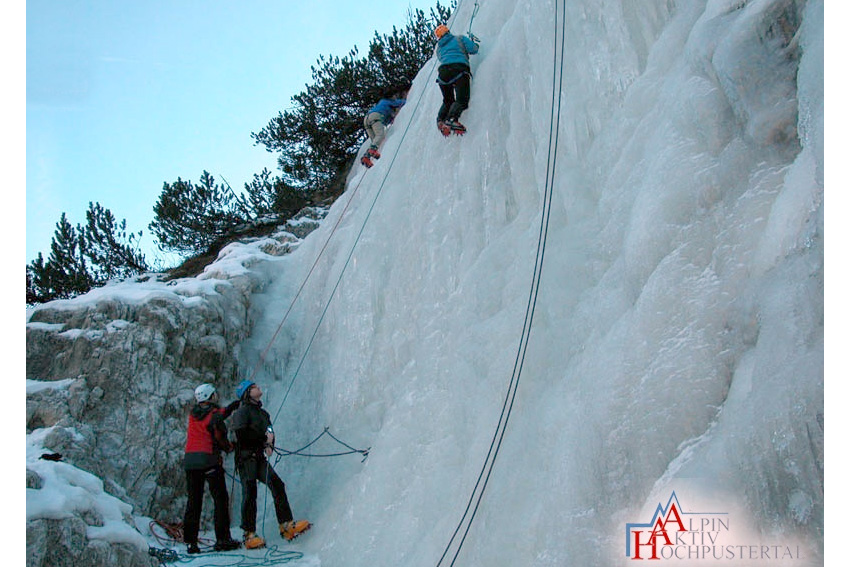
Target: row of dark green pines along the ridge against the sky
{"type": "Point", "coordinates": [316, 143]}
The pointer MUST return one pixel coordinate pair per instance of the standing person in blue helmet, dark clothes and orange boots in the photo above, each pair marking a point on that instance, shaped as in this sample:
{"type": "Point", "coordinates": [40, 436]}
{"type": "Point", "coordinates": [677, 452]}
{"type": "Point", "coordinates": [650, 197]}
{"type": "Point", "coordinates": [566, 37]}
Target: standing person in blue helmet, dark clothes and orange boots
{"type": "Point", "coordinates": [254, 444]}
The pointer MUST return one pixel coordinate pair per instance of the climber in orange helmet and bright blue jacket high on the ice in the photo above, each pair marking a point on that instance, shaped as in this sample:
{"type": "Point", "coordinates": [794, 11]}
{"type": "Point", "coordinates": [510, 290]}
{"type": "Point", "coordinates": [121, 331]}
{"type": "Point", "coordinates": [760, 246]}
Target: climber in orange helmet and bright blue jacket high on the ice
{"type": "Point", "coordinates": [454, 77]}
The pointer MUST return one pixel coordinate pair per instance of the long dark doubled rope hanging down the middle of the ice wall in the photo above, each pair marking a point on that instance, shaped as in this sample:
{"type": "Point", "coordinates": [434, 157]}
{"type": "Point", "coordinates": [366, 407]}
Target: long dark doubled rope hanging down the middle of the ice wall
{"type": "Point", "coordinates": [507, 407]}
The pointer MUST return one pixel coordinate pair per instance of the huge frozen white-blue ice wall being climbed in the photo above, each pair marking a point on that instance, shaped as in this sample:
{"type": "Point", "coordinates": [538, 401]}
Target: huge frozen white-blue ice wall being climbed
{"type": "Point", "coordinates": [677, 342]}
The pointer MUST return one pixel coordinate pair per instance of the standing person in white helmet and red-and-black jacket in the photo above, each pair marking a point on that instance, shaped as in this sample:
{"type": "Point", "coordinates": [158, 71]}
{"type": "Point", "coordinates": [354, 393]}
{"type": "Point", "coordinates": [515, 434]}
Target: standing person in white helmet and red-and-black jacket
{"type": "Point", "coordinates": [205, 440]}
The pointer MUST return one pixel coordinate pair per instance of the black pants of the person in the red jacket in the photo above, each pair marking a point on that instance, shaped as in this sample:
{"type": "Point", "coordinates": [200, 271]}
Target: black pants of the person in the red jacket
{"type": "Point", "coordinates": [195, 480]}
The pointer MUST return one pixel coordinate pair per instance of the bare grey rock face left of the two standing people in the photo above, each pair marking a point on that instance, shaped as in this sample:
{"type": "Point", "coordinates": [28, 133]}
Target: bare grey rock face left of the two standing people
{"type": "Point", "coordinates": [135, 367]}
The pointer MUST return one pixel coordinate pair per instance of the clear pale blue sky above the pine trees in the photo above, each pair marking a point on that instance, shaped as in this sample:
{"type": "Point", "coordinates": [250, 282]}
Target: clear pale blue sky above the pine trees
{"type": "Point", "coordinates": [123, 96]}
